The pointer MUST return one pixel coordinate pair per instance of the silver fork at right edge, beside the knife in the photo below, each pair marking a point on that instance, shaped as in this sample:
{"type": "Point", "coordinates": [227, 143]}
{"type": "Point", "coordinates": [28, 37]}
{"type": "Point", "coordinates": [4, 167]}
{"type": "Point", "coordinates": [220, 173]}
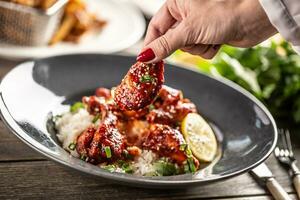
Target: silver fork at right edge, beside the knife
{"type": "Point", "coordinates": [284, 153]}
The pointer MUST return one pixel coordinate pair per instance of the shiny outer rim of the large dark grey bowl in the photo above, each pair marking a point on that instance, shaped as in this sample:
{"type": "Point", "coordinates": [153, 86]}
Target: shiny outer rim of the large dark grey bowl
{"type": "Point", "coordinates": [127, 178]}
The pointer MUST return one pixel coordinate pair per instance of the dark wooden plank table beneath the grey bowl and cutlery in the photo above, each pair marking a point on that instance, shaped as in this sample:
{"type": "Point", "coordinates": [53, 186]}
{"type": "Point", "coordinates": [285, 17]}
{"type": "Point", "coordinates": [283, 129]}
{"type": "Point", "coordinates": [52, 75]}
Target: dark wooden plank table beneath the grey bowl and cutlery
{"type": "Point", "coordinates": [27, 174]}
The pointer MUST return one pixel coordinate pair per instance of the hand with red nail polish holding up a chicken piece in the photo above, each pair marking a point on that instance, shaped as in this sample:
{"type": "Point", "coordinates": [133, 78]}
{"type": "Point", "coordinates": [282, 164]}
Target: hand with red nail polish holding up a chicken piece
{"type": "Point", "coordinates": [201, 26]}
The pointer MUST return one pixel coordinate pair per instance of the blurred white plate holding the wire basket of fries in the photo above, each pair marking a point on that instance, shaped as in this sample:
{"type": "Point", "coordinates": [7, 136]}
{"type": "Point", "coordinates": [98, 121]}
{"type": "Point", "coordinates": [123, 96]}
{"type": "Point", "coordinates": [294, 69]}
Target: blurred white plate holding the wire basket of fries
{"type": "Point", "coordinates": [125, 26]}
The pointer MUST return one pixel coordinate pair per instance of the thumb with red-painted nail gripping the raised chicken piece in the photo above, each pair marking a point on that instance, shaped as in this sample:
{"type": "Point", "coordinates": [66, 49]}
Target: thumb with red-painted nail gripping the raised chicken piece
{"type": "Point", "coordinates": [164, 45]}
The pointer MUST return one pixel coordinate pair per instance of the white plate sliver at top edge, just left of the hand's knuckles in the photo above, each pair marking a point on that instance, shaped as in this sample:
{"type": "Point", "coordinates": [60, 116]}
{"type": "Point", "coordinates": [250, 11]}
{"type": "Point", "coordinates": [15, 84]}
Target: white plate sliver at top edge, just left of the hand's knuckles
{"type": "Point", "coordinates": [149, 7]}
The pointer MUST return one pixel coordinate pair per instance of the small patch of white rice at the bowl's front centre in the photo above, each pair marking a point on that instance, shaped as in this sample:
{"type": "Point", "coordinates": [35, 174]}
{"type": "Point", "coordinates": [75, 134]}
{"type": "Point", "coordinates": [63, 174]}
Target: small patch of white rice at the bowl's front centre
{"type": "Point", "coordinates": [143, 165]}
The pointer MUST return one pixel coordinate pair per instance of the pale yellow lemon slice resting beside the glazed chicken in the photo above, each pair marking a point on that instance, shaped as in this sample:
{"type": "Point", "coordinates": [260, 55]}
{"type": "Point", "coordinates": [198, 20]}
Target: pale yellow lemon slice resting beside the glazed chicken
{"type": "Point", "coordinates": [200, 137]}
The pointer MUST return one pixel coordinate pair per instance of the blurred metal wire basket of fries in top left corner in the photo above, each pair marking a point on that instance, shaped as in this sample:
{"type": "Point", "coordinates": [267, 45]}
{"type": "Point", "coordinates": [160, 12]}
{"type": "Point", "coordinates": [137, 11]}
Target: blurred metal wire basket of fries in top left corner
{"type": "Point", "coordinates": [29, 22]}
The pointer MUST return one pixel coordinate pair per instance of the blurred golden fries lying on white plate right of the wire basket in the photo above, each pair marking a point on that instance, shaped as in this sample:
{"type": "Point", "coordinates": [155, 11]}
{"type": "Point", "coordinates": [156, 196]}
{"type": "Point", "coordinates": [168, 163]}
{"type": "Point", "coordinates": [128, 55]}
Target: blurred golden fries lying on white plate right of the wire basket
{"type": "Point", "coordinates": [77, 21]}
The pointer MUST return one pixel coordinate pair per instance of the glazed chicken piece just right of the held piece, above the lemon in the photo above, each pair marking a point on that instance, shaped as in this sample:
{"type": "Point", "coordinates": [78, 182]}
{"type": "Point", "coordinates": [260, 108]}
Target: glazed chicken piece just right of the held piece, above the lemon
{"type": "Point", "coordinates": [170, 107]}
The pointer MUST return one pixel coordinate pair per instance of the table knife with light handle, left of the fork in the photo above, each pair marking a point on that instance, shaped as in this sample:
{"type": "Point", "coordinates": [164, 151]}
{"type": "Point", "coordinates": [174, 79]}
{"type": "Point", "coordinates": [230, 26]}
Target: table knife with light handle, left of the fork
{"type": "Point", "coordinates": [265, 177]}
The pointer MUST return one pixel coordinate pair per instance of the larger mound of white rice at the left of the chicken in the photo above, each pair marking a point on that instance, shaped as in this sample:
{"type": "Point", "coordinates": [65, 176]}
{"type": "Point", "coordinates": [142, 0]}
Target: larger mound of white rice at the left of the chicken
{"type": "Point", "coordinates": [70, 126]}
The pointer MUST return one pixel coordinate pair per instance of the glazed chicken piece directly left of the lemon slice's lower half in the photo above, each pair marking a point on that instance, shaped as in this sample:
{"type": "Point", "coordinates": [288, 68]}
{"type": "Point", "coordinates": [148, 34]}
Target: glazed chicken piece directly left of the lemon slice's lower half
{"type": "Point", "coordinates": [165, 141]}
